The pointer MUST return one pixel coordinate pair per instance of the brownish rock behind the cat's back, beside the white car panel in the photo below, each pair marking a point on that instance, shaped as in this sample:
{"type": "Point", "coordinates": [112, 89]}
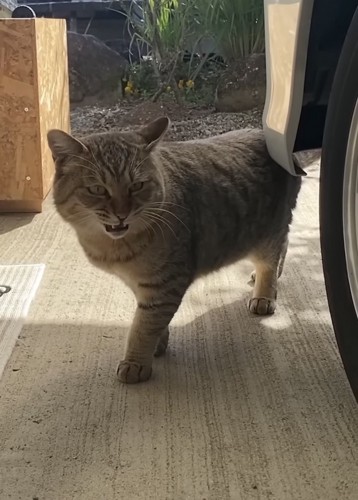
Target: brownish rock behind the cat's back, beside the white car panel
{"type": "Point", "coordinates": [242, 86]}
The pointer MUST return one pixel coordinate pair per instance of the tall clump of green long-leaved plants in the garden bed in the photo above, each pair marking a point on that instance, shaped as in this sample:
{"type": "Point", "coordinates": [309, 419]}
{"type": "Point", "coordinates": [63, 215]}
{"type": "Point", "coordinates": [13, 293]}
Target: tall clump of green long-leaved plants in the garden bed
{"type": "Point", "coordinates": [169, 27]}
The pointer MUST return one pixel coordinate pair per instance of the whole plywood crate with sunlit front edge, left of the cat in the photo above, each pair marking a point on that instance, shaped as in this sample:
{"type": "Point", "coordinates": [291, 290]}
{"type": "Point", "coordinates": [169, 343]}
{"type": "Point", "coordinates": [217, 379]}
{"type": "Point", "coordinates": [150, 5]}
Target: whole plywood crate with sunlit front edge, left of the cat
{"type": "Point", "coordinates": [34, 97]}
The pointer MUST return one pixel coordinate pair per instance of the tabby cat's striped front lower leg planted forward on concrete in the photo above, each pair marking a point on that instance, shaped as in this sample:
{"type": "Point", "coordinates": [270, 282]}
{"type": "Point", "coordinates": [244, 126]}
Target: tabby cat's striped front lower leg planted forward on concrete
{"type": "Point", "coordinates": [148, 336]}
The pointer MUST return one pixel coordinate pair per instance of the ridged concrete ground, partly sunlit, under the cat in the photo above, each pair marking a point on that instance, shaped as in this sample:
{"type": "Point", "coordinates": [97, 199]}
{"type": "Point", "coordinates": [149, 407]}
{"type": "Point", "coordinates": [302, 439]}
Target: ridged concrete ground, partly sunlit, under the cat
{"type": "Point", "coordinates": [241, 407]}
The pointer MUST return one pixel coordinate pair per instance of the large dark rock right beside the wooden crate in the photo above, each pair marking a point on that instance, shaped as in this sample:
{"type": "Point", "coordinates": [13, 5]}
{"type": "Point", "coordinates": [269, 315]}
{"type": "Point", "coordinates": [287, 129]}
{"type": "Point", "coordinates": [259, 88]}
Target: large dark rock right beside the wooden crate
{"type": "Point", "coordinates": [94, 68]}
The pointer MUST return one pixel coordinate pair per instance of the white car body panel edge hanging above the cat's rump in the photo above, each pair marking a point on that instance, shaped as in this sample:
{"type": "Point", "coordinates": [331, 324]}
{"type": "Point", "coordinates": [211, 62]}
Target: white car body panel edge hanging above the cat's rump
{"type": "Point", "coordinates": [287, 29]}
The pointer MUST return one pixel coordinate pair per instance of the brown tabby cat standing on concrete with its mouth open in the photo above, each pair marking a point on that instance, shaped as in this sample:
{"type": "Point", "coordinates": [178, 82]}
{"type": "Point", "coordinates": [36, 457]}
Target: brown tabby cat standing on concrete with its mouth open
{"type": "Point", "coordinates": [160, 214]}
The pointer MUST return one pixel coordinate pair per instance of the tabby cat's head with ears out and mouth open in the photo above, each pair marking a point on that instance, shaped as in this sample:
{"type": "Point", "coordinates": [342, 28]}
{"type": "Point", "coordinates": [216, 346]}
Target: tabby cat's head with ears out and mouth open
{"type": "Point", "coordinates": [108, 182]}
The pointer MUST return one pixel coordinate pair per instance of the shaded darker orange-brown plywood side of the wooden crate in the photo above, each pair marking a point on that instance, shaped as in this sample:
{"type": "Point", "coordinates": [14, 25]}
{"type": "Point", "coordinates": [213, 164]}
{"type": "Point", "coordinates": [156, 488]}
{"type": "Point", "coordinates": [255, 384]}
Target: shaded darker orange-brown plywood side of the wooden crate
{"type": "Point", "coordinates": [20, 154]}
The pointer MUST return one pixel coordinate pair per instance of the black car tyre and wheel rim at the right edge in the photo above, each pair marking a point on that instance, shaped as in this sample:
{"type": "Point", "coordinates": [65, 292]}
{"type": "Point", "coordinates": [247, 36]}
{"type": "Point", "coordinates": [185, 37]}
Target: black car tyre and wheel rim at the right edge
{"type": "Point", "coordinates": [339, 204]}
